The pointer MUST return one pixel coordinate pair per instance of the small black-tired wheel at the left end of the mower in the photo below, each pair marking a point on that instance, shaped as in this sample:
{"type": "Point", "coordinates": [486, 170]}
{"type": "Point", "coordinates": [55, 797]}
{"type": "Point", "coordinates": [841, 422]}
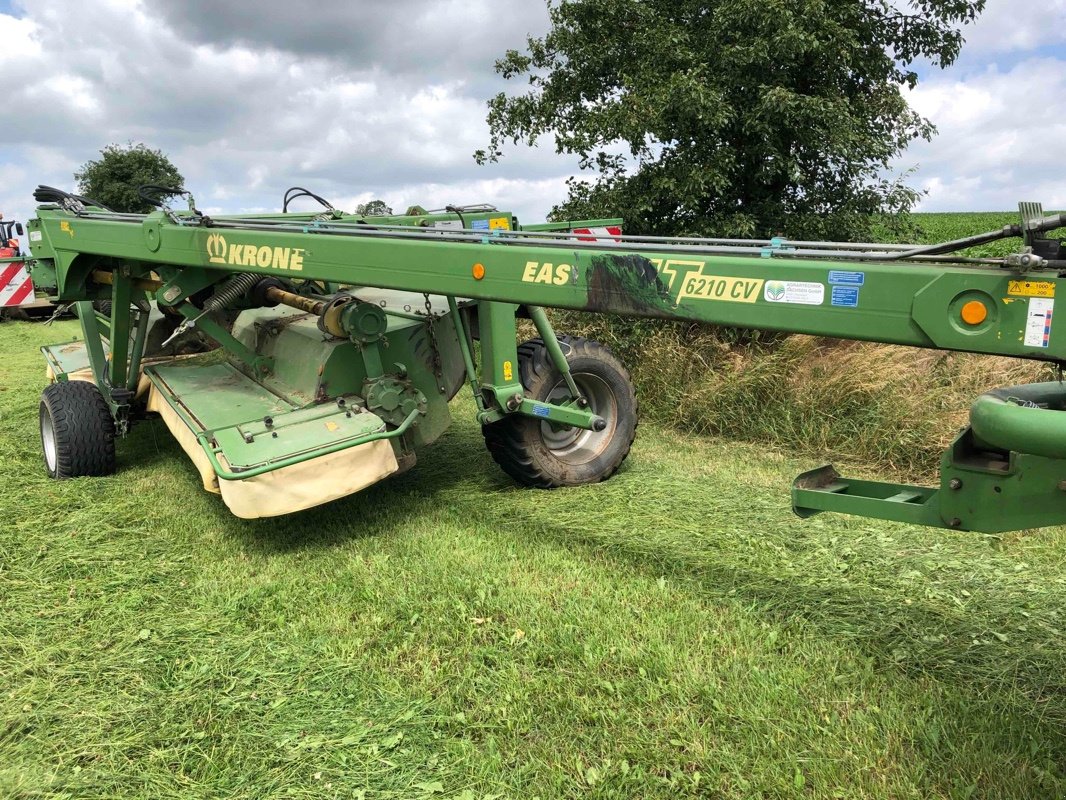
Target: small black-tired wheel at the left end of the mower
{"type": "Point", "coordinates": [77, 431]}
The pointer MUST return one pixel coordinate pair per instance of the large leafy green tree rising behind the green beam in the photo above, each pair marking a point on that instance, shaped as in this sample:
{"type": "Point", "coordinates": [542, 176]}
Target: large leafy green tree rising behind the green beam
{"type": "Point", "coordinates": [733, 118]}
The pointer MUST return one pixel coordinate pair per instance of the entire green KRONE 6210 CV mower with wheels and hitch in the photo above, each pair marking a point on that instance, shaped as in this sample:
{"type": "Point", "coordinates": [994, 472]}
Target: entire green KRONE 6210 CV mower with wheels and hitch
{"type": "Point", "coordinates": [341, 341]}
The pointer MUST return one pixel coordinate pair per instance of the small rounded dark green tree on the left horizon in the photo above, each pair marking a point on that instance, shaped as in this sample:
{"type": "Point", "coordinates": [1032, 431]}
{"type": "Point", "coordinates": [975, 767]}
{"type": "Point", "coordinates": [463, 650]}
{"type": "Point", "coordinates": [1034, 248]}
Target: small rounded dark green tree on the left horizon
{"type": "Point", "coordinates": [115, 179]}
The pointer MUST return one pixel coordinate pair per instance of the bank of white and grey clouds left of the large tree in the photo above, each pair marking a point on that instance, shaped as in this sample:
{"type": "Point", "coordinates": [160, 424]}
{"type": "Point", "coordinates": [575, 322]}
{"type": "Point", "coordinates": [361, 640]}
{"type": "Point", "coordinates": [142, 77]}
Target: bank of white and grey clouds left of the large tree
{"type": "Point", "coordinates": [247, 109]}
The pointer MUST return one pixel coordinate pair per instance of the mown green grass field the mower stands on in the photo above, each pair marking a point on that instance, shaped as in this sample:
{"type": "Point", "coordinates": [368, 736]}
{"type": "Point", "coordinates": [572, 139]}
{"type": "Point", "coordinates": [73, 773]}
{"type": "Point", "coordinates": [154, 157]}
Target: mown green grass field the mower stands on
{"type": "Point", "coordinates": [675, 633]}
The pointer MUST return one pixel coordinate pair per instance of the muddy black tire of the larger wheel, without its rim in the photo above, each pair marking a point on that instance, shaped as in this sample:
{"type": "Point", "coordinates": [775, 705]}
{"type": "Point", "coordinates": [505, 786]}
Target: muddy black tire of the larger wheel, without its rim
{"type": "Point", "coordinates": [516, 442]}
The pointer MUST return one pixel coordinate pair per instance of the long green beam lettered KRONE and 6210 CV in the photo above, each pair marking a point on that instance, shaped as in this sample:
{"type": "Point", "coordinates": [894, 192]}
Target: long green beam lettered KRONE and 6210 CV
{"type": "Point", "coordinates": [903, 303]}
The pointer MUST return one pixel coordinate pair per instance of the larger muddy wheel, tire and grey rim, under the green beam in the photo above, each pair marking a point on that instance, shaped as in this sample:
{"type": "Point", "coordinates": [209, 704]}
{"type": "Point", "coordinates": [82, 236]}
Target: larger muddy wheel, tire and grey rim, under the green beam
{"type": "Point", "coordinates": [537, 455]}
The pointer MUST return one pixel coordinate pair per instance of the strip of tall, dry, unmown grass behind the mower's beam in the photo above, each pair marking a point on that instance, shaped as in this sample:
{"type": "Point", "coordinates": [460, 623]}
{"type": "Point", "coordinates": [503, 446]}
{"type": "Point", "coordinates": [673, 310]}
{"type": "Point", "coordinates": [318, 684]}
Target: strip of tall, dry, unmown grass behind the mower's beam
{"type": "Point", "coordinates": [890, 407]}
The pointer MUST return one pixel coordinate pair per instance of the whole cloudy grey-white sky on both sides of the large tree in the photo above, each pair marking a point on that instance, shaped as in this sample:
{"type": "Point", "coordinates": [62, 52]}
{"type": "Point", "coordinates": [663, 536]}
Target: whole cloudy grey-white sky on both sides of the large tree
{"type": "Point", "coordinates": [363, 99]}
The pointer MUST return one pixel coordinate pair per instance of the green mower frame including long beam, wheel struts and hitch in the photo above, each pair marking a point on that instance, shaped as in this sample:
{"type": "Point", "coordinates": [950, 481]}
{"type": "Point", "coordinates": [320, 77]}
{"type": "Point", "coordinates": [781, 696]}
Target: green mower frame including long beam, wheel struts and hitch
{"type": "Point", "coordinates": [1013, 446]}
